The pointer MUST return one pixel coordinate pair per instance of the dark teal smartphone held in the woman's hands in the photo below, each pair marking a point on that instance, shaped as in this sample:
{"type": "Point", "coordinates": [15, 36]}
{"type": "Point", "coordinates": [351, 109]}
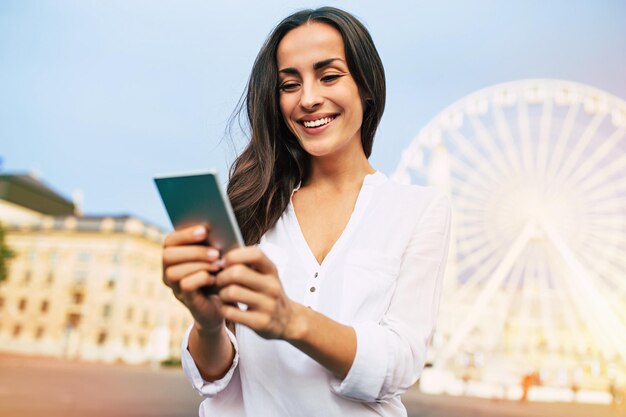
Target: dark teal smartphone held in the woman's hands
{"type": "Point", "coordinates": [198, 199]}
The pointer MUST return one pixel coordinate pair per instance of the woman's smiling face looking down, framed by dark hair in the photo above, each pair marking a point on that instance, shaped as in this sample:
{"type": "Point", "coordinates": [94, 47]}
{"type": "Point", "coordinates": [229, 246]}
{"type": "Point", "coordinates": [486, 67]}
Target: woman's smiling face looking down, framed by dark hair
{"type": "Point", "coordinates": [319, 99]}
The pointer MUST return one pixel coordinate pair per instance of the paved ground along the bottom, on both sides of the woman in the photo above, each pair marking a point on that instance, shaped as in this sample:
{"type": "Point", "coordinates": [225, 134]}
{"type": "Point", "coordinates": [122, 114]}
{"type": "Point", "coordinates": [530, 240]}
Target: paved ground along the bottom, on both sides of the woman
{"type": "Point", "coordinates": [32, 387]}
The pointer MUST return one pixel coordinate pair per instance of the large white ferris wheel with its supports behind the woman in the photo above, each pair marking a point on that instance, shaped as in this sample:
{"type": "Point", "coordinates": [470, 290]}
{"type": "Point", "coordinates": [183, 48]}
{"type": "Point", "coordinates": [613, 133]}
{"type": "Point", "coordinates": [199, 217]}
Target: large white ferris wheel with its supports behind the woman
{"type": "Point", "coordinates": [536, 173]}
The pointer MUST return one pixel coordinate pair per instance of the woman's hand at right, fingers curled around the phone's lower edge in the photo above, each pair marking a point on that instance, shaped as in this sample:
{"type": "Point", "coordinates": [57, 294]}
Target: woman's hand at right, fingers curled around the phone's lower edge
{"type": "Point", "coordinates": [251, 278]}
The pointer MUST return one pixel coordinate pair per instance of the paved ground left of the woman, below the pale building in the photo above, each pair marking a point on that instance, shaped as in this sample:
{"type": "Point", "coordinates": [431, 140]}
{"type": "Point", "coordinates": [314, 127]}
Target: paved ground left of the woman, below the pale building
{"type": "Point", "coordinates": [50, 388]}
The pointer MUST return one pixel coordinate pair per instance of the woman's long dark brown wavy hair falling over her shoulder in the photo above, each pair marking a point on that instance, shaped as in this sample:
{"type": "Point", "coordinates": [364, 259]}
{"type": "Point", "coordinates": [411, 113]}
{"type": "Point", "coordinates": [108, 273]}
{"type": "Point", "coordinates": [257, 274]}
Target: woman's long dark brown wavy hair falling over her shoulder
{"type": "Point", "coordinates": [265, 174]}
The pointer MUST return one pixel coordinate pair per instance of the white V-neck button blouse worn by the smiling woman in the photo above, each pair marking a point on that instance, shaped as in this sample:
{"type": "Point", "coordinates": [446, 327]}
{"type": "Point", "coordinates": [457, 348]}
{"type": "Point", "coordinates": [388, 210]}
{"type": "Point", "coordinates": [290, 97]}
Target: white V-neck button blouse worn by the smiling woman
{"type": "Point", "coordinates": [383, 277]}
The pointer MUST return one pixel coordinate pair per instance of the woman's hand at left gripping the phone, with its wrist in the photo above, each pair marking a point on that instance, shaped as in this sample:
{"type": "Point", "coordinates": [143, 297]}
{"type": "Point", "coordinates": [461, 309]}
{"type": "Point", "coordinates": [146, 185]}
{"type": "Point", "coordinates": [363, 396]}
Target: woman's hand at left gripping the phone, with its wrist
{"type": "Point", "coordinates": [187, 267]}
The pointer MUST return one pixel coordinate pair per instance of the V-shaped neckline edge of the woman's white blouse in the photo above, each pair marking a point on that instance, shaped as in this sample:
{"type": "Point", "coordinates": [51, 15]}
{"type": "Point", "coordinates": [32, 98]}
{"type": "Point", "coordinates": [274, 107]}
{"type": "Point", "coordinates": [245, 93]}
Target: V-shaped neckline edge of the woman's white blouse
{"type": "Point", "coordinates": [300, 241]}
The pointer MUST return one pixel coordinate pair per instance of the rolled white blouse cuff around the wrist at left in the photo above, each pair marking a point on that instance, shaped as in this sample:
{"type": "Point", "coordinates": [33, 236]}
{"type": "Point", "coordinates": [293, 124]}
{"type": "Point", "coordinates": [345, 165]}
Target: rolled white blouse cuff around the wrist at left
{"type": "Point", "coordinates": [204, 388]}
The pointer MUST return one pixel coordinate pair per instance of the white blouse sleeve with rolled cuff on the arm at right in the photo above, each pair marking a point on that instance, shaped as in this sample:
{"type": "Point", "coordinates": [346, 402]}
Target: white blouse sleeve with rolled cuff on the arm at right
{"type": "Point", "coordinates": [391, 354]}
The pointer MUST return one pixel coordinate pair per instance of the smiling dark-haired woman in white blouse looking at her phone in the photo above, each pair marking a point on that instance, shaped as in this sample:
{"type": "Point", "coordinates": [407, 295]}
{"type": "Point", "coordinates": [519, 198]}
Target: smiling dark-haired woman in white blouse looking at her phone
{"type": "Point", "coordinates": [343, 286]}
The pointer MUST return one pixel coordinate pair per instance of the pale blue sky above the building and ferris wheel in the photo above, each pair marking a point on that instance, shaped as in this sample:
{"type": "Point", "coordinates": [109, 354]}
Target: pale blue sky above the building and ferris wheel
{"type": "Point", "coordinates": [102, 95]}
